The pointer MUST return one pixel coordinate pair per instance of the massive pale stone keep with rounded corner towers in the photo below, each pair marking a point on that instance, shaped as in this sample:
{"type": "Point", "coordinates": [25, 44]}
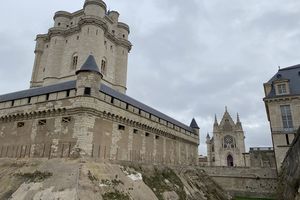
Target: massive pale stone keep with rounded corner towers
{"type": "Point", "coordinates": [75, 36]}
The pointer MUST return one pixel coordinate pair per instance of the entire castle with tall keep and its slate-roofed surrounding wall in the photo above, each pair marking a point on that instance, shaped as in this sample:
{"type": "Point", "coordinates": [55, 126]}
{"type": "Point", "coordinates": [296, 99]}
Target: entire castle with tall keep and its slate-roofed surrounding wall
{"type": "Point", "coordinates": [77, 103]}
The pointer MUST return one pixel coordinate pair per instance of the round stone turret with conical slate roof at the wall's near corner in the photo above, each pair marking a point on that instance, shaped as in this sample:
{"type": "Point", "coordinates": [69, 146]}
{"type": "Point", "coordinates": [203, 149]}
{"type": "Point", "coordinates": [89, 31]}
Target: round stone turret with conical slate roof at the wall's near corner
{"type": "Point", "coordinates": [88, 78]}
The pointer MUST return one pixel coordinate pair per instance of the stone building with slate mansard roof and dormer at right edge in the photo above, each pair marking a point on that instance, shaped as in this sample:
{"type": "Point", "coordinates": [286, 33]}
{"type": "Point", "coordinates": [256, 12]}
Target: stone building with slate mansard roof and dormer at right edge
{"type": "Point", "coordinates": [282, 101]}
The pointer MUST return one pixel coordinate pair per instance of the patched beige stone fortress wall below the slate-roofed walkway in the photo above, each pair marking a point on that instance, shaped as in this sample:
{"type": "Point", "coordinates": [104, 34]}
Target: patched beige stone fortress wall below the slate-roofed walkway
{"type": "Point", "coordinates": [89, 126]}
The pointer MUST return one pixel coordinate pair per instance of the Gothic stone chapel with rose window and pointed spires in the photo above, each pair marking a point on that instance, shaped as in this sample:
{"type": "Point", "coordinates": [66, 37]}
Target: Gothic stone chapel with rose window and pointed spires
{"type": "Point", "coordinates": [227, 145]}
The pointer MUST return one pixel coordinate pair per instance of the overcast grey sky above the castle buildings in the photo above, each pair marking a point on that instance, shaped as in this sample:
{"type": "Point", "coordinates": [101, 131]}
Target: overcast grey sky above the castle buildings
{"type": "Point", "coordinates": [189, 58]}
